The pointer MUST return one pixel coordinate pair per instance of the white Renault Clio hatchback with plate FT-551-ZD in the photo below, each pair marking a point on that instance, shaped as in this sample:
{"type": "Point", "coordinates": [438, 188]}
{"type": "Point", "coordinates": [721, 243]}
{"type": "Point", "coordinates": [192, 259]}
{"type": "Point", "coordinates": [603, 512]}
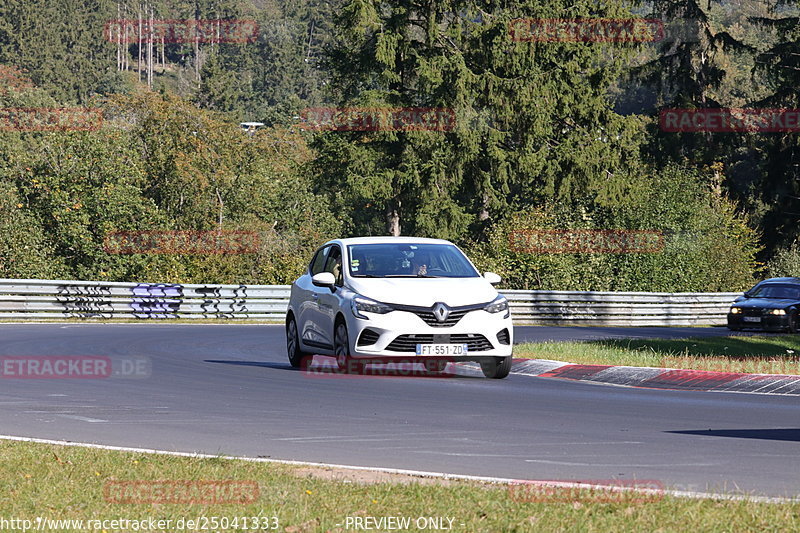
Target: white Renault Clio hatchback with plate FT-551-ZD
{"type": "Point", "coordinates": [384, 299]}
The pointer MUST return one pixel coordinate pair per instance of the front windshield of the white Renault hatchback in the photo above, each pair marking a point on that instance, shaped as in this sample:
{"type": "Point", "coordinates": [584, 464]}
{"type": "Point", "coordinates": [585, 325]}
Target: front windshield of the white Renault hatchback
{"type": "Point", "coordinates": [392, 260]}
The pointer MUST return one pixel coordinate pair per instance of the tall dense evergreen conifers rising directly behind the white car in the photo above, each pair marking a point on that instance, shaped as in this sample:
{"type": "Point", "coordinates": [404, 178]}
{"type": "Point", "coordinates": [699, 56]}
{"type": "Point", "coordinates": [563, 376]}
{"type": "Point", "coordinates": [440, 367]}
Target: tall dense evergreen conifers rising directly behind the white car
{"type": "Point", "coordinates": [532, 118]}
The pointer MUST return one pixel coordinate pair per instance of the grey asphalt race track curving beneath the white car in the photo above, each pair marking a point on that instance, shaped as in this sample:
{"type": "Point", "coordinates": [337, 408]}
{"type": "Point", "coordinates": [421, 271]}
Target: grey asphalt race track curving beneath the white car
{"type": "Point", "coordinates": [229, 389]}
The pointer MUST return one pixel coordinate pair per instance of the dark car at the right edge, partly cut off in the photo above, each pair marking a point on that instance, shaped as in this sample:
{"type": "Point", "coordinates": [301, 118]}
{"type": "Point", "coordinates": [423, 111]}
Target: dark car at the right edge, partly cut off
{"type": "Point", "coordinates": [772, 305]}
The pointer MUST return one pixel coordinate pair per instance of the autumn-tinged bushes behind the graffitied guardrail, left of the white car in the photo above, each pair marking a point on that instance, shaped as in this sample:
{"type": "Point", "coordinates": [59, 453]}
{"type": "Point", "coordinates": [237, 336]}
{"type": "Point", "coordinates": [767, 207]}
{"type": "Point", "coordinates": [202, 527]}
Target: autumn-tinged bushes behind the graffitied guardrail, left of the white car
{"type": "Point", "coordinates": [158, 164]}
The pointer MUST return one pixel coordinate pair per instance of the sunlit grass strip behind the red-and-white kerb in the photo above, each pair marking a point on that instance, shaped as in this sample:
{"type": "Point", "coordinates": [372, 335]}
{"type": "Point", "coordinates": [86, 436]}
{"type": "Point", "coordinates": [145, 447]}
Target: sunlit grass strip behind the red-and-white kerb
{"type": "Point", "coordinates": [757, 354]}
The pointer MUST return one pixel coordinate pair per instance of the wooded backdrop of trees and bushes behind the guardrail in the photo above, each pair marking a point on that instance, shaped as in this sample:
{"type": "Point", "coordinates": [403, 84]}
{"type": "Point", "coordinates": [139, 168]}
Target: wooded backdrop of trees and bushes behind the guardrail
{"type": "Point", "coordinates": [562, 133]}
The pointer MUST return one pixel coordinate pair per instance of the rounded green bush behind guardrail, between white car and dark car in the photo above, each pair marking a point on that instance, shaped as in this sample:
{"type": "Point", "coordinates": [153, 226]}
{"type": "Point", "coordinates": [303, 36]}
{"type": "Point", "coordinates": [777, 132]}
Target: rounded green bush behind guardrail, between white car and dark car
{"type": "Point", "coordinates": [706, 246]}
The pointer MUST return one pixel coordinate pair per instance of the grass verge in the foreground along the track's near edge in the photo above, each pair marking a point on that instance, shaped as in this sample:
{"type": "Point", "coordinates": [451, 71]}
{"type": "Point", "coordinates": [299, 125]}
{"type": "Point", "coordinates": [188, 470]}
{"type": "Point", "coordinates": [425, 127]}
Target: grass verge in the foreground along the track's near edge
{"type": "Point", "coordinates": [67, 483]}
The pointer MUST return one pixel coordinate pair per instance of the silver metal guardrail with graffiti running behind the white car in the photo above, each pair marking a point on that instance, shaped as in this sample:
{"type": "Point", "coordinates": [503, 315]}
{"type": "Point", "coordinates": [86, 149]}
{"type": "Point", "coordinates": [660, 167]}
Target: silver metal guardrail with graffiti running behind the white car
{"type": "Point", "coordinates": [58, 299]}
